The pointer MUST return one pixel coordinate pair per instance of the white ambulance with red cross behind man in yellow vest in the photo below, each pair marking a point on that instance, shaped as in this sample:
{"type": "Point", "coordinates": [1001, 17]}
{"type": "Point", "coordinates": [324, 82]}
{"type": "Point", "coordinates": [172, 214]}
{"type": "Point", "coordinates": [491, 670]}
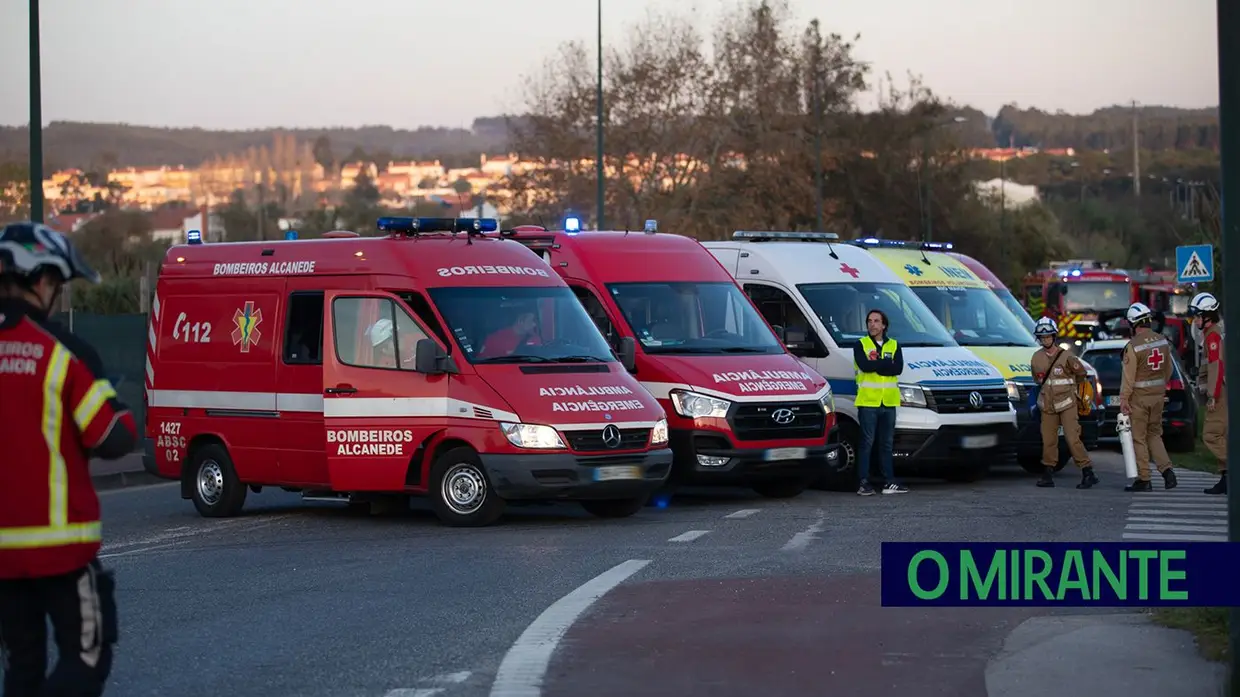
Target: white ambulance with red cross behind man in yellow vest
{"type": "Point", "coordinates": [955, 416]}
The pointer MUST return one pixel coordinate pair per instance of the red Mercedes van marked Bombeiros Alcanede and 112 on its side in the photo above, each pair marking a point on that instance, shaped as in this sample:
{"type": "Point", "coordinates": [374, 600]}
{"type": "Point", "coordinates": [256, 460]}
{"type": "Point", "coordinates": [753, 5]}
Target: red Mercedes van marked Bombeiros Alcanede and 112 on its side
{"type": "Point", "coordinates": [426, 363]}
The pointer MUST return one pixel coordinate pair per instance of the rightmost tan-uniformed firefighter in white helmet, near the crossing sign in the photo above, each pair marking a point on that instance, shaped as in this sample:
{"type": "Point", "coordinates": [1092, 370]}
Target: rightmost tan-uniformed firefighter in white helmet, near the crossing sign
{"type": "Point", "coordinates": [1212, 380]}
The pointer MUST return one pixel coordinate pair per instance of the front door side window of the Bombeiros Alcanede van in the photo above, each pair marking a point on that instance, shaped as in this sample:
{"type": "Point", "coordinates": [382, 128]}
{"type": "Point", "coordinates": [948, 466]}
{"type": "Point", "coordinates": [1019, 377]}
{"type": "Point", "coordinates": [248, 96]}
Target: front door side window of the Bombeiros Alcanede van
{"type": "Point", "coordinates": [375, 333]}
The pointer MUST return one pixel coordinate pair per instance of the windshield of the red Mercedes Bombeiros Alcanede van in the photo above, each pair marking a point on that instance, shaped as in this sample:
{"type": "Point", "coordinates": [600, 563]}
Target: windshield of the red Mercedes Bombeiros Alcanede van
{"type": "Point", "coordinates": [521, 326]}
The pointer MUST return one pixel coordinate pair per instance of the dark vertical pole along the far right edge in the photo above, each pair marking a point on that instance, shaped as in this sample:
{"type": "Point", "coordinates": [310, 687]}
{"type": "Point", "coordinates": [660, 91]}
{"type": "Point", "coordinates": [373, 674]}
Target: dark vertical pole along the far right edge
{"type": "Point", "coordinates": [1229, 121]}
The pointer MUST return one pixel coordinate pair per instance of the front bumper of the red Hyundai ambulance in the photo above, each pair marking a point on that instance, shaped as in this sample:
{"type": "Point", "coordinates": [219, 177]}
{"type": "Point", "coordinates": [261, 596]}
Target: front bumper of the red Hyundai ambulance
{"type": "Point", "coordinates": [743, 467]}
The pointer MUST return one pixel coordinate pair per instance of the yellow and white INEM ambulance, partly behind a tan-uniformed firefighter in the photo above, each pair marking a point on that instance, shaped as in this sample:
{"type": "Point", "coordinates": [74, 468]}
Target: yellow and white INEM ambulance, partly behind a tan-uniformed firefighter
{"type": "Point", "coordinates": [979, 322]}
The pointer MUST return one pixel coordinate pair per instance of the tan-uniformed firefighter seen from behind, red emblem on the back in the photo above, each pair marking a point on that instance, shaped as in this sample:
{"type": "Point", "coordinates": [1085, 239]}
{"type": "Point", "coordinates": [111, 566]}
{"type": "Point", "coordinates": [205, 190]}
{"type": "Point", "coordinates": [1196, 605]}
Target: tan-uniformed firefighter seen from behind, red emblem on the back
{"type": "Point", "coordinates": [1143, 390]}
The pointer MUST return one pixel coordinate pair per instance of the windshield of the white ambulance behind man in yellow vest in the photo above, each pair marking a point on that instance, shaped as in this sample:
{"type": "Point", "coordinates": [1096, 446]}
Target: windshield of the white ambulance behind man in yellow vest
{"type": "Point", "coordinates": [843, 308]}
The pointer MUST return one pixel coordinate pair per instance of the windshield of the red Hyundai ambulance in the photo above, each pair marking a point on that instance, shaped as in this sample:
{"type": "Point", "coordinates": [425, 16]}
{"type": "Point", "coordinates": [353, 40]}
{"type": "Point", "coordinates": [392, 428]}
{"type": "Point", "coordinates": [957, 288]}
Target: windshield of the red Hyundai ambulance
{"type": "Point", "coordinates": [694, 318]}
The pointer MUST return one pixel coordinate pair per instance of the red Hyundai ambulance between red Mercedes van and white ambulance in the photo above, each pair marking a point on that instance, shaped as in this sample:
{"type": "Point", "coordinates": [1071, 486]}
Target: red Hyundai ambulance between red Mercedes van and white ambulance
{"type": "Point", "coordinates": [742, 410]}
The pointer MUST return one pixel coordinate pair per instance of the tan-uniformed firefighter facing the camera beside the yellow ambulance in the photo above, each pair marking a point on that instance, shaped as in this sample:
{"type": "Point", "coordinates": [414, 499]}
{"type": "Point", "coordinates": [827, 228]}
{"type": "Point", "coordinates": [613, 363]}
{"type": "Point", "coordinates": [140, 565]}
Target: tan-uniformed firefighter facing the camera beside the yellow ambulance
{"type": "Point", "coordinates": [1058, 374]}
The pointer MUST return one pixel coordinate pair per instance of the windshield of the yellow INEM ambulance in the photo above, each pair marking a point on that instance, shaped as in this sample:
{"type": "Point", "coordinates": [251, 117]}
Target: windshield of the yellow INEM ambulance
{"type": "Point", "coordinates": [975, 317]}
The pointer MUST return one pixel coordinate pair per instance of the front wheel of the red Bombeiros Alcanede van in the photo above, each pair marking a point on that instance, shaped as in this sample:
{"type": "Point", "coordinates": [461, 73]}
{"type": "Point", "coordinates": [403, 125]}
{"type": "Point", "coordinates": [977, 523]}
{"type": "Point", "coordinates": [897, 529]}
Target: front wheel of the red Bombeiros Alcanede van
{"type": "Point", "coordinates": [461, 492]}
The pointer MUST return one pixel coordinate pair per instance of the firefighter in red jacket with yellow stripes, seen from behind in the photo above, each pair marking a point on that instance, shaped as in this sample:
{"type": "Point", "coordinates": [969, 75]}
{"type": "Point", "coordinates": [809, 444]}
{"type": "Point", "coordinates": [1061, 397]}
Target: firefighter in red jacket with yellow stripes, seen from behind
{"type": "Point", "coordinates": [58, 412]}
